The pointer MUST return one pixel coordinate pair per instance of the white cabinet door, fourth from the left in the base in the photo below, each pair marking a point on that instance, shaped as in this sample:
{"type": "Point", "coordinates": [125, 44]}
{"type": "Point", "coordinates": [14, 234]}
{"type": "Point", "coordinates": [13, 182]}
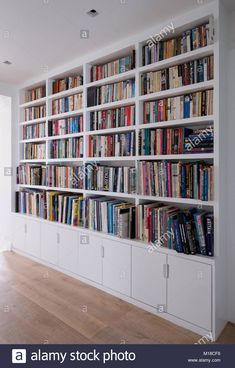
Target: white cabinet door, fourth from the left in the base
{"type": "Point", "coordinates": [68, 250]}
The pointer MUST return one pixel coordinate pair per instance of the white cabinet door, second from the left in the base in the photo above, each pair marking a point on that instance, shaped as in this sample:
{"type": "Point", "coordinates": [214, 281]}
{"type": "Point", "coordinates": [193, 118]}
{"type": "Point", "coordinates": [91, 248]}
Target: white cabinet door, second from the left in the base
{"type": "Point", "coordinates": [33, 235]}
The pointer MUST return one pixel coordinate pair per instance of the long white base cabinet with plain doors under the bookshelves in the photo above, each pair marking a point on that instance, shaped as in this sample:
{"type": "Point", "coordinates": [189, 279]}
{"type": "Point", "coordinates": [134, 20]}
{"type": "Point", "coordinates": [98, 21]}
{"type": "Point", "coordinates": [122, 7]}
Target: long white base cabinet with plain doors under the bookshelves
{"type": "Point", "coordinates": [172, 287]}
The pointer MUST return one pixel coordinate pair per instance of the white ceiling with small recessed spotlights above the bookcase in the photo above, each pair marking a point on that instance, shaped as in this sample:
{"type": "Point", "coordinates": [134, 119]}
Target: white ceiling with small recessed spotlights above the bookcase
{"type": "Point", "coordinates": [35, 34]}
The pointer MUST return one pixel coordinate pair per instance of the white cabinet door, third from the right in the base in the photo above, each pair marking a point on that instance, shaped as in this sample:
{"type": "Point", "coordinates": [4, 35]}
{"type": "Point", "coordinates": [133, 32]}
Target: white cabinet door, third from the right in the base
{"type": "Point", "coordinates": [117, 266]}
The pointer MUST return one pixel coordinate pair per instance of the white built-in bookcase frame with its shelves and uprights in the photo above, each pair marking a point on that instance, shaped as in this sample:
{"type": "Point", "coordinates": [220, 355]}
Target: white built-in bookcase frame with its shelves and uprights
{"type": "Point", "coordinates": [198, 16]}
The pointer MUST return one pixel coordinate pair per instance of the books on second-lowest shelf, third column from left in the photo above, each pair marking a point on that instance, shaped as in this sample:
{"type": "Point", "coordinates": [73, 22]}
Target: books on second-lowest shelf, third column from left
{"type": "Point", "coordinates": [111, 179]}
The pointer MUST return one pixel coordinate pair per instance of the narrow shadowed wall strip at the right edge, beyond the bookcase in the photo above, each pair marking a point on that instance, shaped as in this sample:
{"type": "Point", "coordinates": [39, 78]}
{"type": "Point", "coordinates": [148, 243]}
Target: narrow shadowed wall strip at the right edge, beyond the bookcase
{"type": "Point", "coordinates": [231, 171]}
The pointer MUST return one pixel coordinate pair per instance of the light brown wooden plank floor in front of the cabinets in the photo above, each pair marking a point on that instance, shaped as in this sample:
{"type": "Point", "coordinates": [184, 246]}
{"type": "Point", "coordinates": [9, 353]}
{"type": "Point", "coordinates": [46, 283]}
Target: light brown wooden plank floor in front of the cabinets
{"type": "Point", "coordinates": [40, 305]}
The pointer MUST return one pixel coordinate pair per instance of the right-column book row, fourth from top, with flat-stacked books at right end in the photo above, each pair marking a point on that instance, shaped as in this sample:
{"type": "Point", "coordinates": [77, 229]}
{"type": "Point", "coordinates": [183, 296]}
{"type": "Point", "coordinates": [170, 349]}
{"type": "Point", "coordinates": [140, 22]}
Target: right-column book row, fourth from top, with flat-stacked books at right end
{"type": "Point", "coordinates": [176, 141]}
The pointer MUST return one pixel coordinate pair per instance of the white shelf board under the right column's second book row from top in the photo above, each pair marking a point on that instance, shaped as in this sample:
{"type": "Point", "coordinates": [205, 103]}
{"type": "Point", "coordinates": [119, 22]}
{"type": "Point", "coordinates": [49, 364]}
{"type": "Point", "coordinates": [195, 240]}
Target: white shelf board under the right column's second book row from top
{"type": "Point", "coordinates": [202, 86]}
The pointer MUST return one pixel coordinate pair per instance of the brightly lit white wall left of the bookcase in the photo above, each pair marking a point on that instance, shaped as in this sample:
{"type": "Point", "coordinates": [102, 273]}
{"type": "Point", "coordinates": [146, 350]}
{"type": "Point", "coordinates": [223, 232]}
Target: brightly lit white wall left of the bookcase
{"type": "Point", "coordinates": [8, 115]}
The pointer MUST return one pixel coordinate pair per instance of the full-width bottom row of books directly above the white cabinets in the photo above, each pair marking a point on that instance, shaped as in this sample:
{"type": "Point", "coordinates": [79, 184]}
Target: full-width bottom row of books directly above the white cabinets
{"type": "Point", "coordinates": [187, 231]}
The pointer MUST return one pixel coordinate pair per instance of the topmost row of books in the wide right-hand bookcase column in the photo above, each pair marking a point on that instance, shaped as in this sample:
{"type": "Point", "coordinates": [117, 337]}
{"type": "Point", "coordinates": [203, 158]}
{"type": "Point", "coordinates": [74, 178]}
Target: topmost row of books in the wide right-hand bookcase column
{"type": "Point", "coordinates": [156, 50]}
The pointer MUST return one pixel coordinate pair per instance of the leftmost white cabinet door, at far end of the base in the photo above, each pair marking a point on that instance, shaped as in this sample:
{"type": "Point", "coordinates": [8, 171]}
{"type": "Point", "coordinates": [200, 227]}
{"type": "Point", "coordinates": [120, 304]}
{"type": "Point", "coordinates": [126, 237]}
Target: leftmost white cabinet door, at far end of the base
{"type": "Point", "coordinates": [19, 227]}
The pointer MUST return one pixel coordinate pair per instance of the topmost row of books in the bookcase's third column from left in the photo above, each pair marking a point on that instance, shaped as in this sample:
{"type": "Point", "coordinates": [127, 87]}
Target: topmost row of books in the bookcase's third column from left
{"type": "Point", "coordinates": [121, 65]}
